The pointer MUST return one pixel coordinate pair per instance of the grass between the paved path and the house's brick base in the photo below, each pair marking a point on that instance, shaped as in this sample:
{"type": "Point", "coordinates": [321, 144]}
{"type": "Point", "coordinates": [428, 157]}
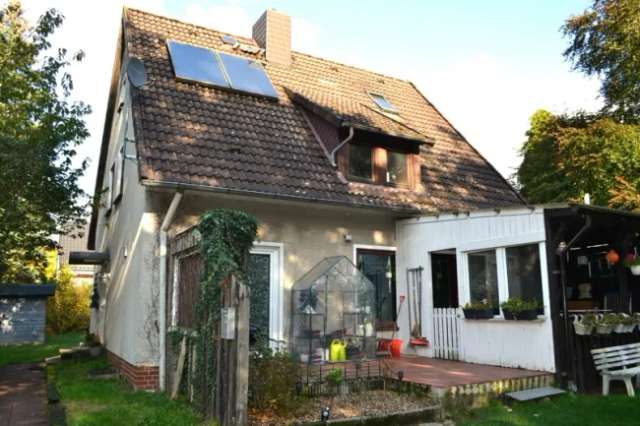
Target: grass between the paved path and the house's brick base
{"type": "Point", "coordinates": [112, 402]}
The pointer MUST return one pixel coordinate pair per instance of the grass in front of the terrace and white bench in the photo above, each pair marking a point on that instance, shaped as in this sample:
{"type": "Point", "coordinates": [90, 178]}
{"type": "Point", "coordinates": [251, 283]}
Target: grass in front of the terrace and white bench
{"type": "Point", "coordinates": [568, 410]}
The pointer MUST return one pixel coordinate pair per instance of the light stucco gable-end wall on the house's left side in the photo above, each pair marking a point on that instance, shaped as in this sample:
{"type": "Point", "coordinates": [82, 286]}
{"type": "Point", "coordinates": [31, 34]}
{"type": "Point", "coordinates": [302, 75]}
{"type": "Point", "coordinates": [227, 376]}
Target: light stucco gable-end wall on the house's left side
{"type": "Point", "coordinates": [127, 320]}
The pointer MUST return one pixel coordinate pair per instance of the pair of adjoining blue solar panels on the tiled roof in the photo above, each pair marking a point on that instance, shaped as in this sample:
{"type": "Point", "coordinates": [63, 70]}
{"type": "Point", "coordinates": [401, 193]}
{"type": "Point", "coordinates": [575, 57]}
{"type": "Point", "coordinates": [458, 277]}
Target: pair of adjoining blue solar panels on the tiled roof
{"type": "Point", "coordinates": [211, 67]}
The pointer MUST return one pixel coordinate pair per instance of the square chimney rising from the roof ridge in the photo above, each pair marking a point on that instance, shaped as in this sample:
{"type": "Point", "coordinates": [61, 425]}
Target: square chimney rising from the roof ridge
{"type": "Point", "coordinates": [272, 32]}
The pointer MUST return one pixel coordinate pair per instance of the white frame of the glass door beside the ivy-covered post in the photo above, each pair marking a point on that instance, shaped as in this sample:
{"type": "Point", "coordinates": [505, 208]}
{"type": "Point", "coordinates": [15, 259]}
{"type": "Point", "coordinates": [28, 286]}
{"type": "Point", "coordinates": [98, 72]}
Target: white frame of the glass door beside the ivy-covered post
{"type": "Point", "coordinates": [277, 340]}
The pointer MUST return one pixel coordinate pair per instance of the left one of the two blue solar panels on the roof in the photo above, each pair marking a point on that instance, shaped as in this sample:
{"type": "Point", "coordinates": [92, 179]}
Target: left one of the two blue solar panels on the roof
{"type": "Point", "coordinates": [197, 64]}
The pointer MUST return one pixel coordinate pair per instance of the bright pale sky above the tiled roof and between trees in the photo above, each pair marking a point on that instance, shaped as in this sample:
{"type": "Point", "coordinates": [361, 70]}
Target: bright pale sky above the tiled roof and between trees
{"type": "Point", "coordinates": [486, 65]}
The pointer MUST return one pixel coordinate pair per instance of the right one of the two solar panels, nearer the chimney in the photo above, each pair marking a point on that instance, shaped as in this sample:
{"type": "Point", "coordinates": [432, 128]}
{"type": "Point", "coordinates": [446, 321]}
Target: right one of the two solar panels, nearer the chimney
{"type": "Point", "coordinates": [247, 75]}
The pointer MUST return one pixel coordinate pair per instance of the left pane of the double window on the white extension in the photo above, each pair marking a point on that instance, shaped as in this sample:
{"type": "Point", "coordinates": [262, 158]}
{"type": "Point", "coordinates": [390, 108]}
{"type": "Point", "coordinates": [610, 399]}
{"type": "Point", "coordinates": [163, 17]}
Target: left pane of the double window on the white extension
{"type": "Point", "coordinates": [483, 277]}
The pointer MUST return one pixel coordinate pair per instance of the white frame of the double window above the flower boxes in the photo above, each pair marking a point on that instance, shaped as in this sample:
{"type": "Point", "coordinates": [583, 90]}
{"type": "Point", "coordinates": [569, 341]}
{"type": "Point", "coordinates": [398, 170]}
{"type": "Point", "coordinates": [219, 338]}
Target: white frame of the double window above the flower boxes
{"type": "Point", "coordinates": [502, 274]}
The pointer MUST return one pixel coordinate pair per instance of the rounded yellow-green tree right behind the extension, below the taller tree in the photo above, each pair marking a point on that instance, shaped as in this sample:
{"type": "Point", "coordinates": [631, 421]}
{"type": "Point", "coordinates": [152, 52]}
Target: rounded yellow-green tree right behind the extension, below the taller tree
{"type": "Point", "coordinates": [565, 157]}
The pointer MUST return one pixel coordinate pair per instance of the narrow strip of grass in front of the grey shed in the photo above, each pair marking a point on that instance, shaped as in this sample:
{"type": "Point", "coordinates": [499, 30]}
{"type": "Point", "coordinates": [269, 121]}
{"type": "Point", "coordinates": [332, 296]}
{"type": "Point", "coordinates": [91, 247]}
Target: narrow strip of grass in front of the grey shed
{"type": "Point", "coordinates": [14, 354]}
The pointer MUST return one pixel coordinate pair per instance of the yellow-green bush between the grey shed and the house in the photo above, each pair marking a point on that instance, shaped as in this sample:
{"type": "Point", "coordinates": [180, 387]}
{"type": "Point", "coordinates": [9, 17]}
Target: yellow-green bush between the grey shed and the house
{"type": "Point", "coordinates": [68, 309]}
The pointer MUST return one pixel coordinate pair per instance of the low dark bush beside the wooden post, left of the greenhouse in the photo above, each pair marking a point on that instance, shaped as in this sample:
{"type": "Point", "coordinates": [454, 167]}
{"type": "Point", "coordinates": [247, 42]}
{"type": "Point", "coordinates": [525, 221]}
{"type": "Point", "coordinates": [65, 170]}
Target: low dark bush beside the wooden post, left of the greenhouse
{"type": "Point", "coordinates": [272, 381]}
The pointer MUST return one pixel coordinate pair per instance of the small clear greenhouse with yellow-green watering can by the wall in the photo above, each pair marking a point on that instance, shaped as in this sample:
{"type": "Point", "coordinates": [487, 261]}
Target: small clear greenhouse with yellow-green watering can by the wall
{"type": "Point", "coordinates": [333, 313]}
